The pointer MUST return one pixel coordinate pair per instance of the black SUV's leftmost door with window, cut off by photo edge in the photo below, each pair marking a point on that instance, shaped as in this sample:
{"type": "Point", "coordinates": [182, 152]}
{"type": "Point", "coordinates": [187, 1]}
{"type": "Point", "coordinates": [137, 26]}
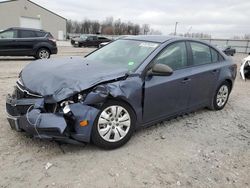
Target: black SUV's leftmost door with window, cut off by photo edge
{"type": "Point", "coordinates": [8, 44]}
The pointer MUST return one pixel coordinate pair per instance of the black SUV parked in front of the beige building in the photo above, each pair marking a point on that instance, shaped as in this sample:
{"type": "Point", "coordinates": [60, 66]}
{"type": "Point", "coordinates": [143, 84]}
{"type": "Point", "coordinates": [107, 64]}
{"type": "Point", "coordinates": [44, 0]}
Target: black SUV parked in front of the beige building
{"type": "Point", "coordinates": [27, 42]}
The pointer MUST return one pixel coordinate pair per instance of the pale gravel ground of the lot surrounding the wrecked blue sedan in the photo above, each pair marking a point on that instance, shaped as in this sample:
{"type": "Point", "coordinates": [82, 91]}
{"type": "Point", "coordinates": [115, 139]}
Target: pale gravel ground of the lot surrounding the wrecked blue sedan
{"type": "Point", "coordinates": [202, 149]}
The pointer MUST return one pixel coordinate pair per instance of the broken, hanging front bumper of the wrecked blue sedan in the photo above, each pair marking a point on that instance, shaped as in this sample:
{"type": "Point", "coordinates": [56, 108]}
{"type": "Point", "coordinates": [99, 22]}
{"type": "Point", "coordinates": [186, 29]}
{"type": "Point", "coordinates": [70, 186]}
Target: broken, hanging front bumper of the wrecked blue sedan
{"type": "Point", "coordinates": [29, 115]}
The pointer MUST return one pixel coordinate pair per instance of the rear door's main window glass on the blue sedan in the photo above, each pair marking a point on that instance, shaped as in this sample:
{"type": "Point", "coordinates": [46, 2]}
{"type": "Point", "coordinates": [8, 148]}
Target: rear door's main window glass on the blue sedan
{"type": "Point", "coordinates": [201, 53]}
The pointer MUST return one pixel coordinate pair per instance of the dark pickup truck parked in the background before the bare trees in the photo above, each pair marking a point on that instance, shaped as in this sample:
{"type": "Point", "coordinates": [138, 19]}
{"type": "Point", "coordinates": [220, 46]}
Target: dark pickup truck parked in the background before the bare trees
{"type": "Point", "coordinates": [89, 40]}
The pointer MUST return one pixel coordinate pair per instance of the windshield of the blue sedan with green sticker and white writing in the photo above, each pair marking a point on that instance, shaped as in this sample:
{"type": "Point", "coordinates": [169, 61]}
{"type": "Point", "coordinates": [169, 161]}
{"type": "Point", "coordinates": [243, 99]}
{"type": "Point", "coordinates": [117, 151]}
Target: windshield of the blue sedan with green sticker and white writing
{"type": "Point", "coordinates": [126, 54]}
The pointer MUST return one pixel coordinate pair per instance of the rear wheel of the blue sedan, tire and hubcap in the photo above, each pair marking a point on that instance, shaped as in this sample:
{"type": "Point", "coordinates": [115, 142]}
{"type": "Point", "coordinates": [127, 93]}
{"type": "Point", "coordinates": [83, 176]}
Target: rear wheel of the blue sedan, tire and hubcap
{"type": "Point", "coordinates": [221, 96]}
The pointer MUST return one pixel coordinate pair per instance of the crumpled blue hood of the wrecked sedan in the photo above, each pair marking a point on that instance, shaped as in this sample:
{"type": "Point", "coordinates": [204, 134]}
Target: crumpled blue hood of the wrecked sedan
{"type": "Point", "coordinates": [58, 79]}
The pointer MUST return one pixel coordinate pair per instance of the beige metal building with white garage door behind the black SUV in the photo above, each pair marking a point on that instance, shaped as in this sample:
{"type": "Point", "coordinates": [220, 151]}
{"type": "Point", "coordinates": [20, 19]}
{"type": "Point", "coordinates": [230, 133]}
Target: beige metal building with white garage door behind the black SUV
{"type": "Point", "coordinates": [25, 13]}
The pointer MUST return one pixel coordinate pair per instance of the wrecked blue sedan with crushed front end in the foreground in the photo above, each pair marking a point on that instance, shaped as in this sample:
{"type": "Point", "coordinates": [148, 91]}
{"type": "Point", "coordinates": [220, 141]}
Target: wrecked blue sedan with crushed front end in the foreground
{"type": "Point", "coordinates": [132, 82]}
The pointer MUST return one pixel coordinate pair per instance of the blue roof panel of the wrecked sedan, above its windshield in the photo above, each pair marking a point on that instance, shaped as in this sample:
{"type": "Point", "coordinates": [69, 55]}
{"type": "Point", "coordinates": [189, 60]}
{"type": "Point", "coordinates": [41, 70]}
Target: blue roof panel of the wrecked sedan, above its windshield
{"type": "Point", "coordinates": [152, 38]}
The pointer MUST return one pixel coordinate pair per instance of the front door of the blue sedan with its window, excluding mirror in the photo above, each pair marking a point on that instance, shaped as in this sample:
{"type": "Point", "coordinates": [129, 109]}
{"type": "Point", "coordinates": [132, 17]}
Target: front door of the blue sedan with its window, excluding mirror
{"type": "Point", "coordinates": [166, 96]}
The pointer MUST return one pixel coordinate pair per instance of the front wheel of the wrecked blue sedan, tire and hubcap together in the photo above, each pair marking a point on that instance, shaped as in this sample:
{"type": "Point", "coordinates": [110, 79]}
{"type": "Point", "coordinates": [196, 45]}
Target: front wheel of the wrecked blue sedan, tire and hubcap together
{"type": "Point", "coordinates": [108, 131]}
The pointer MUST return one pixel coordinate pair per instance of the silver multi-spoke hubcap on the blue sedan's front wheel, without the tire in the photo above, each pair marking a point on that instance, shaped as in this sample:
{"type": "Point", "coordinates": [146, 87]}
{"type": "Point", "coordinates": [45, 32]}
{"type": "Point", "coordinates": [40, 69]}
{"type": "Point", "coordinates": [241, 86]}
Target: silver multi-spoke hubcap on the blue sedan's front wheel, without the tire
{"type": "Point", "coordinates": [114, 123]}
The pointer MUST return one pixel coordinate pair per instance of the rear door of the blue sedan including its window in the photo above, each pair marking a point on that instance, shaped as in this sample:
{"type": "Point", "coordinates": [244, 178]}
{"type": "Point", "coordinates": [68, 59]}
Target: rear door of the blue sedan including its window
{"type": "Point", "coordinates": [205, 71]}
